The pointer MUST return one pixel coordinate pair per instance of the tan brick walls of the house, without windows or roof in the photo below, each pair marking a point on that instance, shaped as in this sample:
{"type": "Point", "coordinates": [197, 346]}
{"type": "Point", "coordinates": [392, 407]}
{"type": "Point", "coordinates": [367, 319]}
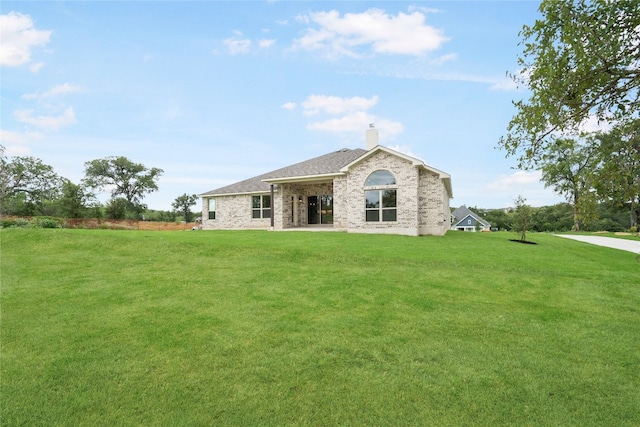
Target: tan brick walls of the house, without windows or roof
{"type": "Point", "coordinates": [422, 200]}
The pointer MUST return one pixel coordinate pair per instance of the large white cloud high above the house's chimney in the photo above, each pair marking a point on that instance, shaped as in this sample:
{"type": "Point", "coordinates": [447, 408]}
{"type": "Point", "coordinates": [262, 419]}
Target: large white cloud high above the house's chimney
{"type": "Point", "coordinates": [403, 34]}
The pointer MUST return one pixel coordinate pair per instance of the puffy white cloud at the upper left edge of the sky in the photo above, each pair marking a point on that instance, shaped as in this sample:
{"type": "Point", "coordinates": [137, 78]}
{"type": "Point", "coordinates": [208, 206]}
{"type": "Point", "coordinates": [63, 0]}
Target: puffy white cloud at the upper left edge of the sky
{"type": "Point", "coordinates": [18, 37]}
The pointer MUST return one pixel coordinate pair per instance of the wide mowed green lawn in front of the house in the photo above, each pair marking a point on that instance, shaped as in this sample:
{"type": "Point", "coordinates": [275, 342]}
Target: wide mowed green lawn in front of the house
{"type": "Point", "coordinates": [103, 328]}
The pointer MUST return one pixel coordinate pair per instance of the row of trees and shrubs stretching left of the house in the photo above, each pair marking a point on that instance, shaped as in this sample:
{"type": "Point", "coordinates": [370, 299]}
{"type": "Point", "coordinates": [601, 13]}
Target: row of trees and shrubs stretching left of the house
{"type": "Point", "coordinates": [29, 187]}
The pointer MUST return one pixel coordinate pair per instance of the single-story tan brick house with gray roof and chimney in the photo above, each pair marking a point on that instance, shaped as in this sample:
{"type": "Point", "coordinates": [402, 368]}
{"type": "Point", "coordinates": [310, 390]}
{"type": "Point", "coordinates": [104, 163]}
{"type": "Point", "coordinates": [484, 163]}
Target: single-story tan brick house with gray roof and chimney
{"type": "Point", "coordinates": [377, 190]}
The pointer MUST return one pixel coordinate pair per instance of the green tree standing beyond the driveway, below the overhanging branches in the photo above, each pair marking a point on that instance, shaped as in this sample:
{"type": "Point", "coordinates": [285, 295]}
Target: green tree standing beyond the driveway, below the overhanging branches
{"type": "Point", "coordinates": [568, 167]}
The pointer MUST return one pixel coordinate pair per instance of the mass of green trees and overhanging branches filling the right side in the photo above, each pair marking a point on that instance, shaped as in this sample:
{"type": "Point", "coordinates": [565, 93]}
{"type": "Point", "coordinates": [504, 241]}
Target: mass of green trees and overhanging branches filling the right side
{"type": "Point", "coordinates": [581, 65]}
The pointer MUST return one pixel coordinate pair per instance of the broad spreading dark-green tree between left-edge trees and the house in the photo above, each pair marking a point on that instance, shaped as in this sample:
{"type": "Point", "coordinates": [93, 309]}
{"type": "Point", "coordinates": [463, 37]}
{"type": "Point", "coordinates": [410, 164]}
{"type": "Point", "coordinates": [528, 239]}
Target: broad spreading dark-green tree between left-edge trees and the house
{"type": "Point", "coordinates": [125, 179]}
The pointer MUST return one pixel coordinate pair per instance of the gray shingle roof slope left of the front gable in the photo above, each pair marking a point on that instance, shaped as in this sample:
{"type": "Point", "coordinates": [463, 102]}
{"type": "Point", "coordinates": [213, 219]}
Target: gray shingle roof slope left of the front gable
{"type": "Point", "coordinates": [322, 165]}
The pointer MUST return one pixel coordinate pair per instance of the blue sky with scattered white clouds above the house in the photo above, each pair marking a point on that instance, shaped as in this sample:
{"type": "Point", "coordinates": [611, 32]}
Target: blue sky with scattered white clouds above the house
{"type": "Point", "coordinates": [215, 92]}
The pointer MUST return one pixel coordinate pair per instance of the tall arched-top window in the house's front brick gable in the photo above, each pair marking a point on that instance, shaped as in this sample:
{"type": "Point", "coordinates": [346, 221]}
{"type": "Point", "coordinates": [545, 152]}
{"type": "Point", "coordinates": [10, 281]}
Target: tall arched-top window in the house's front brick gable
{"type": "Point", "coordinates": [380, 197]}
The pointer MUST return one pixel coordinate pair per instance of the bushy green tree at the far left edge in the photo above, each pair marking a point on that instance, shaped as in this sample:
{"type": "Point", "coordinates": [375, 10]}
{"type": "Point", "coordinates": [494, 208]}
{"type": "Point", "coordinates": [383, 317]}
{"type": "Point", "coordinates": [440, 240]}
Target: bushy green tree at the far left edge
{"type": "Point", "coordinates": [27, 186]}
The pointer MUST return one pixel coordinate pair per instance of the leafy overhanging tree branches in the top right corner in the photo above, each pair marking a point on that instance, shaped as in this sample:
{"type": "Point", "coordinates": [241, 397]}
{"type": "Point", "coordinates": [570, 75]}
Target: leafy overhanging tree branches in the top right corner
{"type": "Point", "coordinates": [580, 61]}
